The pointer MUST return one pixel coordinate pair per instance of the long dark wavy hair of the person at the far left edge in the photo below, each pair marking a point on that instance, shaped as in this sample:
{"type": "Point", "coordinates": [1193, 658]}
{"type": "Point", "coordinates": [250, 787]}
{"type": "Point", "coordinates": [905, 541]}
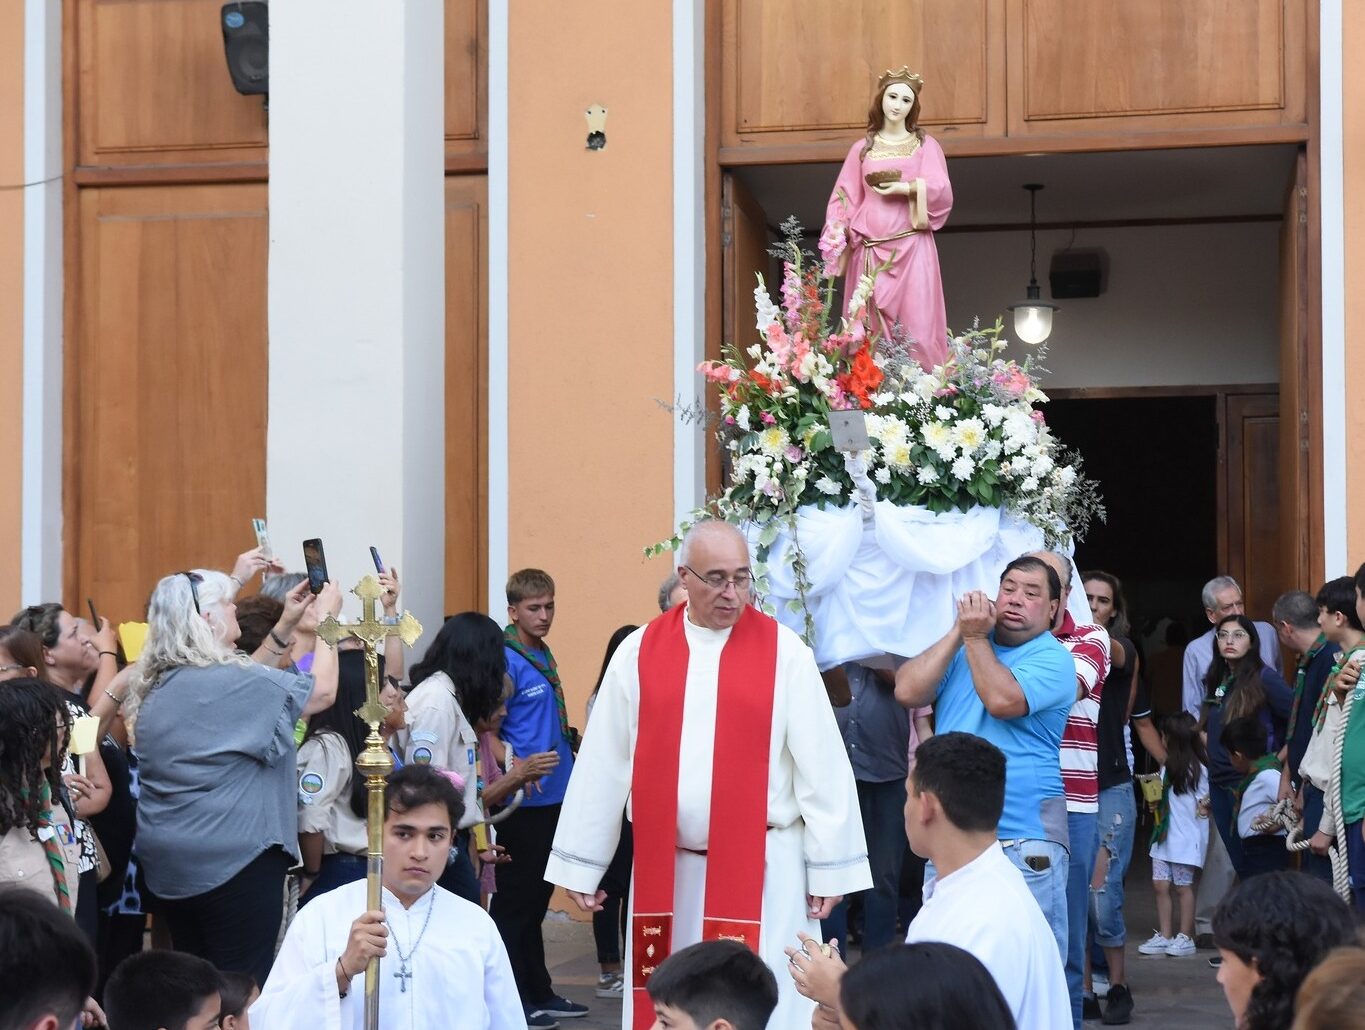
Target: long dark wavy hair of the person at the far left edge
{"type": "Point", "coordinates": [35, 725]}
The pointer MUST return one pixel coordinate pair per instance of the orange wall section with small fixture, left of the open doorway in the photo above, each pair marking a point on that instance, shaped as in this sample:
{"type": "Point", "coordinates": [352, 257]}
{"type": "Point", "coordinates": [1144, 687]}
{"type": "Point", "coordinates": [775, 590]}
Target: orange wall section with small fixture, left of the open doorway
{"type": "Point", "coordinates": [590, 317]}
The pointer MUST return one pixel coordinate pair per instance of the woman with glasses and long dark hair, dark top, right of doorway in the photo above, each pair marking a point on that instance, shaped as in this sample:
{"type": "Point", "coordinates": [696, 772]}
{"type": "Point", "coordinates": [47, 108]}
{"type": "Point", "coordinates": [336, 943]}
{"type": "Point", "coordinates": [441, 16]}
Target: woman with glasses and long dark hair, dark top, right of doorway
{"type": "Point", "coordinates": [1239, 684]}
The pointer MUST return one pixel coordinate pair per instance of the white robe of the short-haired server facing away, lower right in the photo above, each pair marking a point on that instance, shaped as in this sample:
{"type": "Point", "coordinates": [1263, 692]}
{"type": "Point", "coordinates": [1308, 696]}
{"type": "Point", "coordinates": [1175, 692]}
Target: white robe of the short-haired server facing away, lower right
{"type": "Point", "coordinates": [986, 908]}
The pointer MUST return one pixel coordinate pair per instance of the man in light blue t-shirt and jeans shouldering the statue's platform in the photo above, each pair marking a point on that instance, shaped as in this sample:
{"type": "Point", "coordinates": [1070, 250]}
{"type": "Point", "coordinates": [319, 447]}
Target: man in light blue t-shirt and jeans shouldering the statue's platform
{"type": "Point", "coordinates": [1001, 675]}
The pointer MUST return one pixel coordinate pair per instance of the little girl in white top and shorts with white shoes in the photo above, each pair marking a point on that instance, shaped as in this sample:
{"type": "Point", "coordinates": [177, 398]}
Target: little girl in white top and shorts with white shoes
{"type": "Point", "coordinates": [1180, 837]}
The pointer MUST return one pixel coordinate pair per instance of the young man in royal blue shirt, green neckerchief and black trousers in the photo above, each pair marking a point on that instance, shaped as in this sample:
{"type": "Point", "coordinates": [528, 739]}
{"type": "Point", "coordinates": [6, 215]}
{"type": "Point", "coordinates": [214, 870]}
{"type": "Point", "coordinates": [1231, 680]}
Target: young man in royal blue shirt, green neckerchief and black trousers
{"type": "Point", "coordinates": [537, 722]}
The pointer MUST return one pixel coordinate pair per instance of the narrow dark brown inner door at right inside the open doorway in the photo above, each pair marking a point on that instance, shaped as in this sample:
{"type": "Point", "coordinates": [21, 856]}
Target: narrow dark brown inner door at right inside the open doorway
{"type": "Point", "coordinates": [1252, 469]}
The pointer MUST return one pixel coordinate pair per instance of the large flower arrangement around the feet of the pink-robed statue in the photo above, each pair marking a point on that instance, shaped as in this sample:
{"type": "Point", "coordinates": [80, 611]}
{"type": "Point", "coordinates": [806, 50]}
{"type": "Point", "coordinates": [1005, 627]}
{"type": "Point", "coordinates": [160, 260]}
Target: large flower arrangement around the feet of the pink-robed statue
{"type": "Point", "coordinates": [964, 435]}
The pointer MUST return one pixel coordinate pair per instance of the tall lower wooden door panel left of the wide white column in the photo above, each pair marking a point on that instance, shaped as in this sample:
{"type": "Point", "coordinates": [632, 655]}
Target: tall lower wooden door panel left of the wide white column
{"type": "Point", "coordinates": [169, 385]}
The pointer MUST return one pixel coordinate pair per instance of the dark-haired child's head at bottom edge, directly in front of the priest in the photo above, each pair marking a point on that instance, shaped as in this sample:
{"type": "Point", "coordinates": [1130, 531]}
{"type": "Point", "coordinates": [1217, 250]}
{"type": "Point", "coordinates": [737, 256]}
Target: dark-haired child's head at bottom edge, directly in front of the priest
{"type": "Point", "coordinates": [713, 986]}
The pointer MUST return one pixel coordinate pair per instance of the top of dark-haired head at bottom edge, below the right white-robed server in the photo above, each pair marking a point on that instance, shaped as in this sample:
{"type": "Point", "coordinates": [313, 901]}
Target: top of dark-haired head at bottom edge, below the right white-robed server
{"type": "Point", "coordinates": [926, 987]}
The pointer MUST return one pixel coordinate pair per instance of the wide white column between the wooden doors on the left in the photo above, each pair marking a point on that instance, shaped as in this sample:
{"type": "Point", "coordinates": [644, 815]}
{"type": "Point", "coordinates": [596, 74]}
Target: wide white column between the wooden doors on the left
{"type": "Point", "coordinates": [357, 293]}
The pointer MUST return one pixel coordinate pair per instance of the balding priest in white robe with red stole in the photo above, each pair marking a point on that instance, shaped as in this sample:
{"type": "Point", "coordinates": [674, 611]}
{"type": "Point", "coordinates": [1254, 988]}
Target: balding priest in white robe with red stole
{"type": "Point", "coordinates": [713, 721]}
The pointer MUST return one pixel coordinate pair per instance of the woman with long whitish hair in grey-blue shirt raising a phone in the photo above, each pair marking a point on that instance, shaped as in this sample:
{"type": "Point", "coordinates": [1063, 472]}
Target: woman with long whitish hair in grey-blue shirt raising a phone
{"type": "Point", "coordinates": [214, 733]}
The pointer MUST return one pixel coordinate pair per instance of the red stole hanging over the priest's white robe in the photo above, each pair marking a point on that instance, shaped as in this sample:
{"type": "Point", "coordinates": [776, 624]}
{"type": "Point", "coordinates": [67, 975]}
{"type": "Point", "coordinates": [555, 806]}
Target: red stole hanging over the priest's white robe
{"type": "Point", "coordinates": [739, 791]}
